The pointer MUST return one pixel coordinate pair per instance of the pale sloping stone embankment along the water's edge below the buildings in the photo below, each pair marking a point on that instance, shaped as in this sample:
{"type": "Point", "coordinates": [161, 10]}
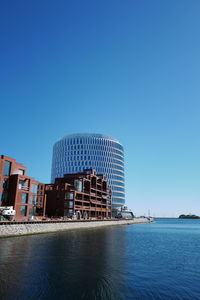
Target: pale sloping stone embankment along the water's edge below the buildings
{"type": "Point", "coordinates": [24, 228]}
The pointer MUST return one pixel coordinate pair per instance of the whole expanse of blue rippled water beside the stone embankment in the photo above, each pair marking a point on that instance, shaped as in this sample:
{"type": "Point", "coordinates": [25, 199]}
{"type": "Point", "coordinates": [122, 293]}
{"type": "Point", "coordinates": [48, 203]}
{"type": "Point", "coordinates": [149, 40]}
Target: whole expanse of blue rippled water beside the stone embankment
{"type": "Point", "coordinates": [160, 260]}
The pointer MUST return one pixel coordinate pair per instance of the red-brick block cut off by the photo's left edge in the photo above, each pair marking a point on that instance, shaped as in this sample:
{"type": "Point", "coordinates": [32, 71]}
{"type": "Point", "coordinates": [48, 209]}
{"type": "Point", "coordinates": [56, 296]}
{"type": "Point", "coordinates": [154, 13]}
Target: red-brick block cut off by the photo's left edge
{"type": "Point", "coordinates": [24, 193]}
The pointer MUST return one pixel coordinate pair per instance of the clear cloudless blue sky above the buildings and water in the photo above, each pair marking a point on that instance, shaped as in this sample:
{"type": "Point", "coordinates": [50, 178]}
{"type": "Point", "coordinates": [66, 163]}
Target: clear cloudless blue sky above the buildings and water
{"type": "Point", "coordinates": [129, 69]}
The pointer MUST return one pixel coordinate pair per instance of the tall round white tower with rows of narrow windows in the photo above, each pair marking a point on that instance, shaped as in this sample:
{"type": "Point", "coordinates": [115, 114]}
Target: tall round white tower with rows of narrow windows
{"type": "Point", "coordinates": [76, 152]}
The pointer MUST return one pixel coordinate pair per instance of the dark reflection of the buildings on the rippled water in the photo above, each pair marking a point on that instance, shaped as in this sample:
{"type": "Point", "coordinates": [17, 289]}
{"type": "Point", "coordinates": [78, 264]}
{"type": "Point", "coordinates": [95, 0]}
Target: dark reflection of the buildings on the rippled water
{"type": "Point", "coordinates": [68, 265]}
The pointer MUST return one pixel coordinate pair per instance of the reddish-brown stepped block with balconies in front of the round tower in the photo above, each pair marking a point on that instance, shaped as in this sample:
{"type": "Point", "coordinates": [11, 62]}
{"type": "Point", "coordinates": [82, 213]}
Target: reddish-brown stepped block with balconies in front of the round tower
{"type": "Point", "coordinates": [83, 194]}
